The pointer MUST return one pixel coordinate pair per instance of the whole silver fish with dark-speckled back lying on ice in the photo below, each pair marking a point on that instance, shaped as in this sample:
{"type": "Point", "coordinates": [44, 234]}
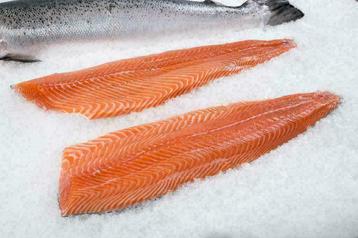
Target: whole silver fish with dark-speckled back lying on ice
{"type": "Point", "coordinates": [27, 25]}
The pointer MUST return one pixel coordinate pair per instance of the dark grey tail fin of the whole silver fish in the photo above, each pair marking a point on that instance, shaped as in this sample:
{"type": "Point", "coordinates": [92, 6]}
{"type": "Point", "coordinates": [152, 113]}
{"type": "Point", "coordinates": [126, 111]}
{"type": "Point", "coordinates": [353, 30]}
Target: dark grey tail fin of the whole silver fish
{"type": "Point", "coordinates": [281, 11]}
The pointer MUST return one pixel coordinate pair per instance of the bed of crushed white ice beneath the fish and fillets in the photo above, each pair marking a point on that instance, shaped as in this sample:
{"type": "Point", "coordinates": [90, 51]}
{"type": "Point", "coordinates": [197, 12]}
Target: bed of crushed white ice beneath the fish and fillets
{"type": "Point", "coordinates": [306, 188]}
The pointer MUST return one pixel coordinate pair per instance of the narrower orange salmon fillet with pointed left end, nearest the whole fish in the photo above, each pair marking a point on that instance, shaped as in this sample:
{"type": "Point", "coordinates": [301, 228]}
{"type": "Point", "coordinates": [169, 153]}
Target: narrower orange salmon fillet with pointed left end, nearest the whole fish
{"type": "Point", "coordinates": [132, 85]}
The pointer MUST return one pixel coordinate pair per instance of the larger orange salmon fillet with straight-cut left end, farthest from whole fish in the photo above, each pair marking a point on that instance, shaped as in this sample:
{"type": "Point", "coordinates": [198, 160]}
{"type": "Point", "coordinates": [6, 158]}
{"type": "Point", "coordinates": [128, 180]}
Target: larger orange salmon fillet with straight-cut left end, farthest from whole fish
{"type": "Point", "coordinates": [129, 166]}
